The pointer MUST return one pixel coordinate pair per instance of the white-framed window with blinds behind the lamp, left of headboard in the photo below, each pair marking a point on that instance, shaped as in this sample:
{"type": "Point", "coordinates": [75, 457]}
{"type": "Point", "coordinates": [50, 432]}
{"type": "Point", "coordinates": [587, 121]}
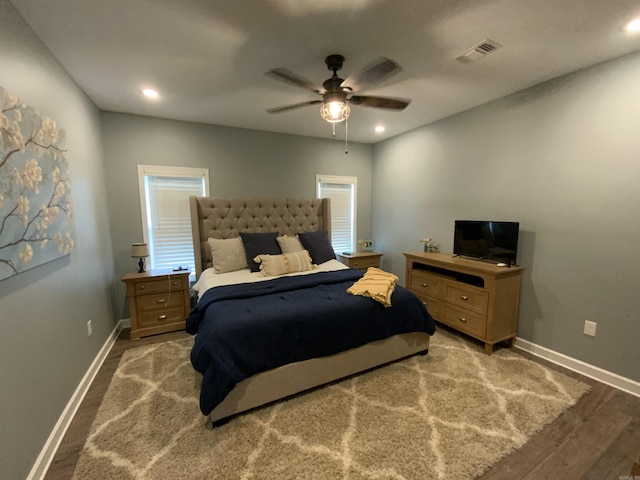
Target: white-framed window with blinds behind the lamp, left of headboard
{"type": "Point", "coordinates": [166, 220]}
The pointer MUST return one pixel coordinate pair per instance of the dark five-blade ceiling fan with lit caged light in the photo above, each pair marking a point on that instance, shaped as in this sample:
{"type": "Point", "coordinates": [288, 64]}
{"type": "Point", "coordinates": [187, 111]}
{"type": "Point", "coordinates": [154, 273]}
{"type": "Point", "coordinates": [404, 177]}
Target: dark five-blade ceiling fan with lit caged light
{"type": "Point", "coordinates": [337, 93]}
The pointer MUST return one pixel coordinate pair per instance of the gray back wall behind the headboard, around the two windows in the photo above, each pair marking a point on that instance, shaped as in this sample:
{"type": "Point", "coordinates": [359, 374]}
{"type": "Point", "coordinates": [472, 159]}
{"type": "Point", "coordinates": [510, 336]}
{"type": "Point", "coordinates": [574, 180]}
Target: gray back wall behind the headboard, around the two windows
{"type": "Point", "coordinates": [241, 163]}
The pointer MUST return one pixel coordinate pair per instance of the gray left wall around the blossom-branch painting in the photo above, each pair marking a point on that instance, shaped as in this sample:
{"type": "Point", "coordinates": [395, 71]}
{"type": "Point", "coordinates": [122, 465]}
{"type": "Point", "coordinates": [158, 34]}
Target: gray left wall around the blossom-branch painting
{"type": "Point", "coordinates": [44, 347]}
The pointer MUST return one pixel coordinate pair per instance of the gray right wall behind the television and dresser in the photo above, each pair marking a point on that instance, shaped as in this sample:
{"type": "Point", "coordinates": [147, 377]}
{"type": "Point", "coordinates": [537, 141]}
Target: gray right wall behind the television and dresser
{"type": "Point", "coordinates": [562, 159]}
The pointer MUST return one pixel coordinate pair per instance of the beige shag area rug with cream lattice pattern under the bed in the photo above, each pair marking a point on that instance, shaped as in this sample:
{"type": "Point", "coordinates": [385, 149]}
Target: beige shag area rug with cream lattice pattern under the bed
{"type": "Point", "coordinates": [448, 415]}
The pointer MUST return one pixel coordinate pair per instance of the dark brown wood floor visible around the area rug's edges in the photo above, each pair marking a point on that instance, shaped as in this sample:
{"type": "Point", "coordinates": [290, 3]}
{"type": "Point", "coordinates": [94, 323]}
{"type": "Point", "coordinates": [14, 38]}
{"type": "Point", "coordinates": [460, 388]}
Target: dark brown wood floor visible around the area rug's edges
{"type": "Point", "coordinates": [599, 438]}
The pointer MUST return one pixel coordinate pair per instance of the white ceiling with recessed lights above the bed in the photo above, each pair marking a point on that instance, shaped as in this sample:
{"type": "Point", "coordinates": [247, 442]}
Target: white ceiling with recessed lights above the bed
{"type": "Point", "coordinates": [208, 58]}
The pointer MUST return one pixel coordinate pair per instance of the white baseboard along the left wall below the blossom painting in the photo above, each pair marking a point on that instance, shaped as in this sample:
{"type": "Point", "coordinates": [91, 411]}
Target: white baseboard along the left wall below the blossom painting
{"type": "Point", "coordinates": [50, 448]}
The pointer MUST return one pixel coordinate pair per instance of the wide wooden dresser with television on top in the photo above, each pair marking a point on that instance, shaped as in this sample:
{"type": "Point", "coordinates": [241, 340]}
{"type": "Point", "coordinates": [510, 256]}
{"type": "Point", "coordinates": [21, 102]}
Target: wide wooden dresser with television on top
{"type": "Point", "coordinates": [474, 297]}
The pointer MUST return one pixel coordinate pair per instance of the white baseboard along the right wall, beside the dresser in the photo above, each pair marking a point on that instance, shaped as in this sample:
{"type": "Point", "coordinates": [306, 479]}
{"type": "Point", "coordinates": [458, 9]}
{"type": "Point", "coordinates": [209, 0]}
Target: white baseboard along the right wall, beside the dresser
{"type": "Point", "coordinates": [604, 376]}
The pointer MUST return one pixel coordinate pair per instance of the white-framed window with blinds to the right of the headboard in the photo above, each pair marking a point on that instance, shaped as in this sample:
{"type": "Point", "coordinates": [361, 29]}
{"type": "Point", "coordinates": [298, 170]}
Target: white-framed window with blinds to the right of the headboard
{"type": "Point", "coordinates": [342, 192]}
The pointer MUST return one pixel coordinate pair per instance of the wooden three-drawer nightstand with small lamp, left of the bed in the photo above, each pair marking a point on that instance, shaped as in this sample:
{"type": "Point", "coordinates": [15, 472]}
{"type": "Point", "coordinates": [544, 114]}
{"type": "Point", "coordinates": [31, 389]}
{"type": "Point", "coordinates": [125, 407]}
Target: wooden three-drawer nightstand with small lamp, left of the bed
{"type": "Point", "coordinates": [158, 301]}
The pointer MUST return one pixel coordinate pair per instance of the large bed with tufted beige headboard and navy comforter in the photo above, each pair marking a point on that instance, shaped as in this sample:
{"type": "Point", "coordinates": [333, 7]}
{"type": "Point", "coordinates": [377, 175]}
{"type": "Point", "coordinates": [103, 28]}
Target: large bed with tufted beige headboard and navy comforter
{"type": "Point", "coordinates": [227, 219]}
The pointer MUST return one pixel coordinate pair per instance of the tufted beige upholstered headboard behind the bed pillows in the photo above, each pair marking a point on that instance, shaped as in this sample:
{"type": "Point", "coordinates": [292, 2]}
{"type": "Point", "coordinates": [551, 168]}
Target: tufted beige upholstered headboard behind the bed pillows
{"type": "Point", "coordinates": [227, 217]}
